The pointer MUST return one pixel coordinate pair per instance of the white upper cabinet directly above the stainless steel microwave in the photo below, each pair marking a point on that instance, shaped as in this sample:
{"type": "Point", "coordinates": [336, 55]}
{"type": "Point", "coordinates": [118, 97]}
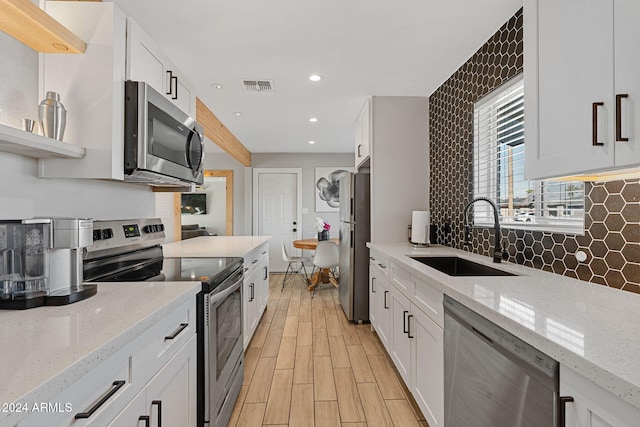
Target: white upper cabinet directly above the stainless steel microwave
{"type": "Point", "coordinates": [147, 63]}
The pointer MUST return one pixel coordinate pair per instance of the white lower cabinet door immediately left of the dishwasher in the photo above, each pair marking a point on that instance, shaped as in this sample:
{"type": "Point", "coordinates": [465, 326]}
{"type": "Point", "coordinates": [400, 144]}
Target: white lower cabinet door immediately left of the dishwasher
{"type": "Point", "coordinates": [427, 366]}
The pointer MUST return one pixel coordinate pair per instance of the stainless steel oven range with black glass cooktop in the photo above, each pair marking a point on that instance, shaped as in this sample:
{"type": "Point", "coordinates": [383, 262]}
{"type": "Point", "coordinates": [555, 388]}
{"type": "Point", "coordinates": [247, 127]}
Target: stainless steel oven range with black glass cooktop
{"type": "Point", "coordinates": [130, 251]}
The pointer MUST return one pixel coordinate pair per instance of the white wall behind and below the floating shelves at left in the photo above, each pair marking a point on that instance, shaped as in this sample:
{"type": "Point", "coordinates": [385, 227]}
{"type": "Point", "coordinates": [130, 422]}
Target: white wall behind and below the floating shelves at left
{"type": "Point", "coordinates": [22, 193]}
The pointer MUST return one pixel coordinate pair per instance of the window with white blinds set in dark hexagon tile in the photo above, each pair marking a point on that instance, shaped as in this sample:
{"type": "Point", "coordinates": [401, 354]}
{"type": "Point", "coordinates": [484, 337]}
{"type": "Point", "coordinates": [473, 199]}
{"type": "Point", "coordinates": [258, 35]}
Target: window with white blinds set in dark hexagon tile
{"type": "Point", "coordinates": [498, 173]}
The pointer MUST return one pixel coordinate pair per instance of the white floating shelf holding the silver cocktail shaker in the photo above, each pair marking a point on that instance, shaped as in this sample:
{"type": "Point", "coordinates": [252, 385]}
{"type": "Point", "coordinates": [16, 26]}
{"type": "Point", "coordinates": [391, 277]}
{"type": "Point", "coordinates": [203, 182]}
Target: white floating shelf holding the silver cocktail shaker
{"type": "Point", "coordinates": [28, 144]}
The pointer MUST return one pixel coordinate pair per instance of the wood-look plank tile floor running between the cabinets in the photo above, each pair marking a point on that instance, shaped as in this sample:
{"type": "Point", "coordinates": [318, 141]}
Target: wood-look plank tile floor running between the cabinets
{"type": "Point", "coordinates": [308, 366]}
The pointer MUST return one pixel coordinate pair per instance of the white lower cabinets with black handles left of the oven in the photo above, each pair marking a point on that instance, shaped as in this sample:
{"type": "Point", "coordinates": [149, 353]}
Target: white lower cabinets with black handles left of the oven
{"type": "Point", "coordinates": [123, 387]}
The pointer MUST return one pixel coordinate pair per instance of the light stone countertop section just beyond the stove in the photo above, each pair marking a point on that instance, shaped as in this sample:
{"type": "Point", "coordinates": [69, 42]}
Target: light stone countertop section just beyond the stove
{"type": "Point", "coordinates": [214, 246]}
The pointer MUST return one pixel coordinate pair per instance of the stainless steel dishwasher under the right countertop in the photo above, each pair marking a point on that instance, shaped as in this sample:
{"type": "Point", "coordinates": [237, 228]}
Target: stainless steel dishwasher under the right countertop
{"type": "Point", "coordinates": [492, 378]}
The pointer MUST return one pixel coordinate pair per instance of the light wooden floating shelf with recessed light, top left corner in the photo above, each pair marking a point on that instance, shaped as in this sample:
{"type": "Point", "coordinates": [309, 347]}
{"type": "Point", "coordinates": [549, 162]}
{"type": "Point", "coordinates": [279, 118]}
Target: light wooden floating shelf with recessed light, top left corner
{"type": "Point", "coordinates": [26, 22]}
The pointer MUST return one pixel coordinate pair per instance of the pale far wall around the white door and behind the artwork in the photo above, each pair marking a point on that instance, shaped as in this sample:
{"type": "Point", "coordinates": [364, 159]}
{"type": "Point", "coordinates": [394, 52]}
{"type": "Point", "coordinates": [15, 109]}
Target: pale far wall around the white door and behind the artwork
{"type": "Point", "coordinates": [308, 163]}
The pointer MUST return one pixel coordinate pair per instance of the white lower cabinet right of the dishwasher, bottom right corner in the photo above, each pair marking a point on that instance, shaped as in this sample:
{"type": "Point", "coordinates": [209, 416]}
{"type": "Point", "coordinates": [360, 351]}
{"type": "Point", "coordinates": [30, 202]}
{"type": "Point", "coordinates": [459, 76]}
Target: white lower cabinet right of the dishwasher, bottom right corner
{"type": "Point", "coordinates": [592, 405]}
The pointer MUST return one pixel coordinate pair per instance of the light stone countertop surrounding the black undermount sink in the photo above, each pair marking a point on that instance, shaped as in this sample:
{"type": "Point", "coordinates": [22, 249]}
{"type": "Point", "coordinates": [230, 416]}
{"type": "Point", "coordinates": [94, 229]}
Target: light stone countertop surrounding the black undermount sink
{"type": "Point", "coordinates": [590, 328]}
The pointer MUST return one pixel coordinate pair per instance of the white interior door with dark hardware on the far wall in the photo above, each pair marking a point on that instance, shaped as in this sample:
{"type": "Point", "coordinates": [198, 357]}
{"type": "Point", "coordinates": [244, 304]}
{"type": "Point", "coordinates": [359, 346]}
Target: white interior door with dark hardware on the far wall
{"type": "Point", "coordinates": [277, 213]}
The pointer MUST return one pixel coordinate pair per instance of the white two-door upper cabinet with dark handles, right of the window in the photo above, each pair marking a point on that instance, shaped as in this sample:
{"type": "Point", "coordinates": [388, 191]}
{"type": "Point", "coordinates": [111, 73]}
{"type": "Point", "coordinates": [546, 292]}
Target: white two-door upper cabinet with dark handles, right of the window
{"type": "Point", "coordinates": [577, 64]}
